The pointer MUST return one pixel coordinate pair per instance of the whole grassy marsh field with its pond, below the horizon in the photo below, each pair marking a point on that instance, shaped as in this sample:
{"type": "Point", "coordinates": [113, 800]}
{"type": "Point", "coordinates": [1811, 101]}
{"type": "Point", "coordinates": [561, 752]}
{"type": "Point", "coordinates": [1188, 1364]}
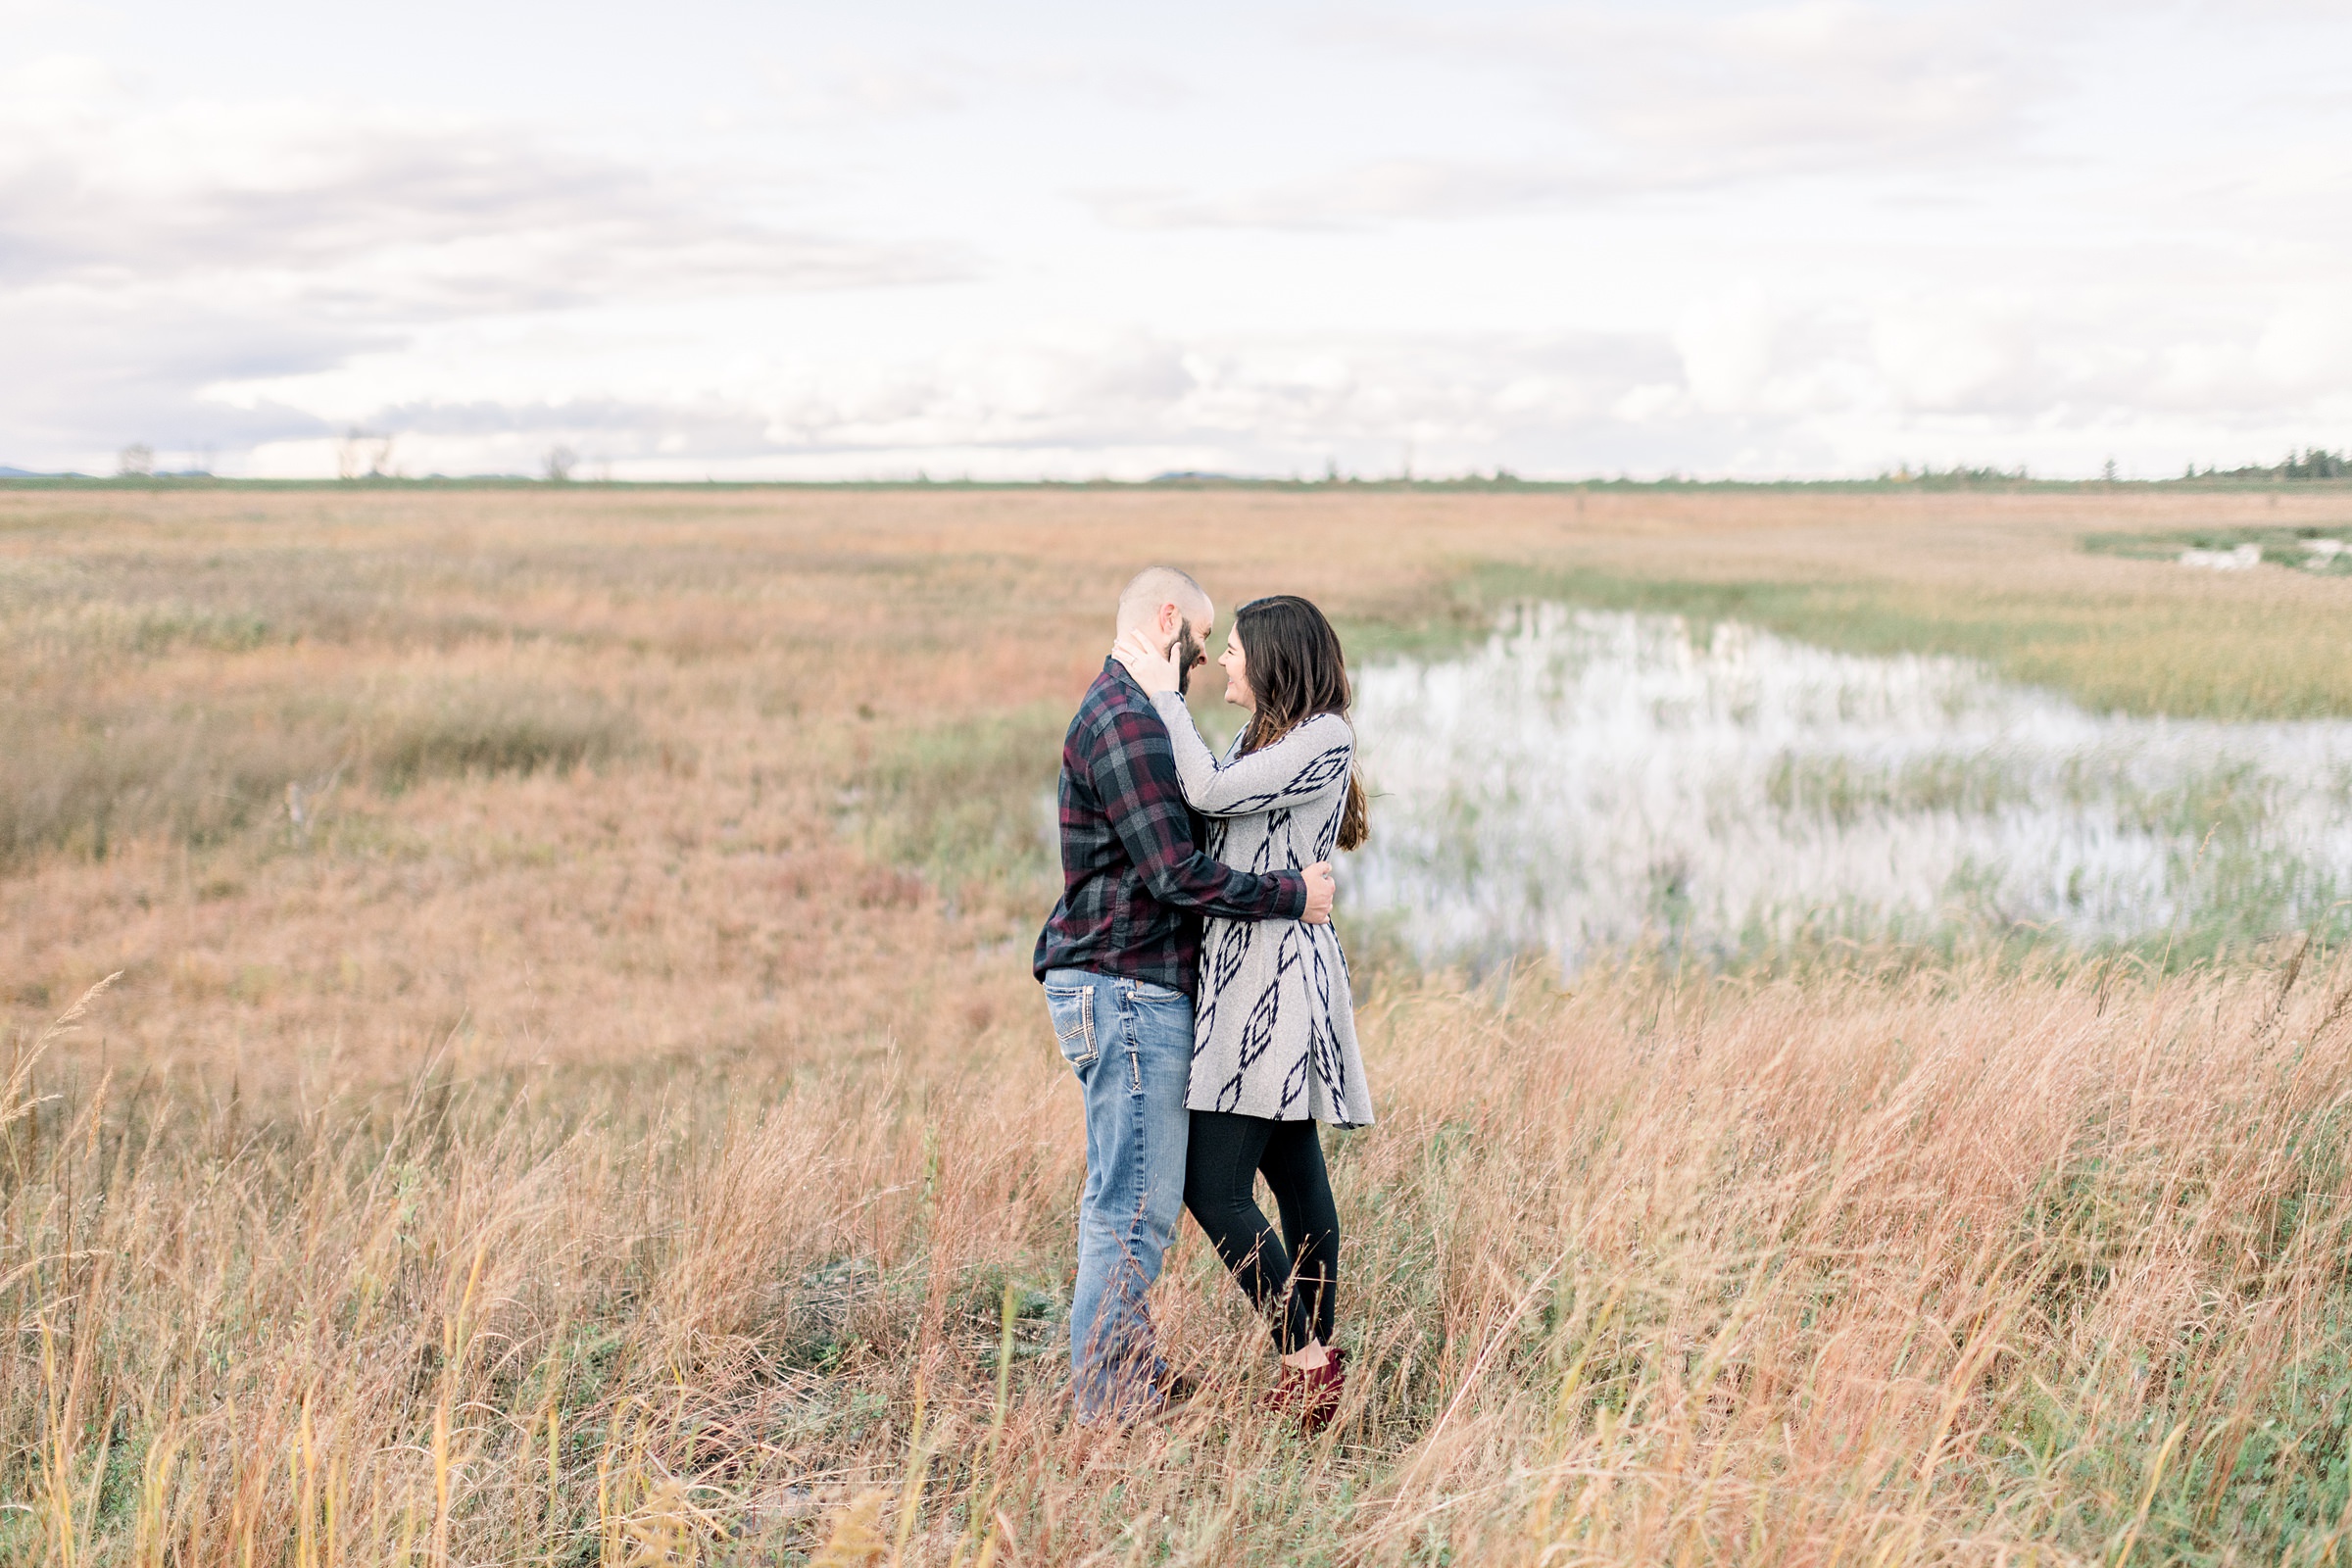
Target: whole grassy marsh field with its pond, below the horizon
{"type": "Point", "coordinates": [573, 1087]}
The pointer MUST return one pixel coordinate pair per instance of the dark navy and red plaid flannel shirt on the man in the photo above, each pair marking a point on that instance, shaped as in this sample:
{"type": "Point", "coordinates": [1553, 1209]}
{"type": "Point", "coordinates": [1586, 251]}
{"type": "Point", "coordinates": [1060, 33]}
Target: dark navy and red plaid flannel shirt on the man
{"type": "Point", "coordinates": [1135, 880]}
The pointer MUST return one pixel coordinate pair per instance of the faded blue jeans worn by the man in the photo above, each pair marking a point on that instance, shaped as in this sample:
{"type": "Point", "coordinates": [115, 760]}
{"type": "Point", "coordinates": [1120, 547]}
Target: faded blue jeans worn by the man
{"type": "Point", "coordinates": [1130, 1043]}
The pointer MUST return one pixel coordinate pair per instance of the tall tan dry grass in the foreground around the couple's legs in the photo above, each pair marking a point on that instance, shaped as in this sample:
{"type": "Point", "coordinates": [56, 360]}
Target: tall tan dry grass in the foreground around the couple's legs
{"type": "Point", "coordinates": [1937, 1268]}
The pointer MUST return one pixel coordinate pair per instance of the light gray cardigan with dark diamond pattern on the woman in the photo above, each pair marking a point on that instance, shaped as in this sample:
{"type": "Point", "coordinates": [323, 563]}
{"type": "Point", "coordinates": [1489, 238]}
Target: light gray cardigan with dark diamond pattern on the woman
{"type": "Point", "coordinates": [1276, 1026]}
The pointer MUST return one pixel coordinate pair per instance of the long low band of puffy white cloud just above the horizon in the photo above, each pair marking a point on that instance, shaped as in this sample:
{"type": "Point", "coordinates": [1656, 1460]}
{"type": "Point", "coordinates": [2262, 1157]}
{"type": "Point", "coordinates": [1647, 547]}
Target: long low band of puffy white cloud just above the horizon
{"type": "Point", "coordinates": [1744, 384]}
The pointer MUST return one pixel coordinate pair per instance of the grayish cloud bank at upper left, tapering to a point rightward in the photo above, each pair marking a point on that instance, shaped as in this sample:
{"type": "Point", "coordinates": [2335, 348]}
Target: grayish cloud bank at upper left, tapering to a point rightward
{"type": "Point", "coordinates": [377, 215]}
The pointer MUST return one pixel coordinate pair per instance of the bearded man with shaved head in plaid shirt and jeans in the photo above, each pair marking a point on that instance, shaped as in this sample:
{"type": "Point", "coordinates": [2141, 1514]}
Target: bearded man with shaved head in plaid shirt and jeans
{"type": "Point", "coordinates": [1118, 960]}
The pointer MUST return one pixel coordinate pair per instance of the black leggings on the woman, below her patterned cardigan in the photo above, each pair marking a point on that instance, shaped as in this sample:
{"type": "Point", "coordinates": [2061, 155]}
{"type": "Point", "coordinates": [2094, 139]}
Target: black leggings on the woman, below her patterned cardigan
{"type": "Point", "coordinates": [1222, 1167]}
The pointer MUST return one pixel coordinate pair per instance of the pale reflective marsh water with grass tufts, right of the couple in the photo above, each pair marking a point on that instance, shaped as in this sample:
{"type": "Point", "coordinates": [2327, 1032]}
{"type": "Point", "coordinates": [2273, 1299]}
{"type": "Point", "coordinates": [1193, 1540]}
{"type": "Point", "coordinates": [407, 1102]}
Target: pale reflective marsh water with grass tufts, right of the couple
{"type": "Point", "coordinates": [1589, 782]}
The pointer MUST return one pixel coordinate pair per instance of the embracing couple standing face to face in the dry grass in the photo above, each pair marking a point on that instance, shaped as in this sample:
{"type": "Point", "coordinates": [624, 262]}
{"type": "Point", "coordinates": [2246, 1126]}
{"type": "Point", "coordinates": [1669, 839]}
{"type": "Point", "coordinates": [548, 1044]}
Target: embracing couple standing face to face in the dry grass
{"type": "Point", "coordinates": [1198, 989]}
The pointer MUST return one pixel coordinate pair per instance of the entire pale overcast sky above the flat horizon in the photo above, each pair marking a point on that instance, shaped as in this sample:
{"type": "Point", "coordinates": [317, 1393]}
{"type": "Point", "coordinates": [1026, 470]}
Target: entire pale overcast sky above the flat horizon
{"type": "Point", "coordinates": [1064, 241]}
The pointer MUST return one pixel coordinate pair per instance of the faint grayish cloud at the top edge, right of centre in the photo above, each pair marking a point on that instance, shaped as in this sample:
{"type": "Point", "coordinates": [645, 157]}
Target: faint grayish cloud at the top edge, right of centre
{"type": "Point", "coordinates": [1657, 102]}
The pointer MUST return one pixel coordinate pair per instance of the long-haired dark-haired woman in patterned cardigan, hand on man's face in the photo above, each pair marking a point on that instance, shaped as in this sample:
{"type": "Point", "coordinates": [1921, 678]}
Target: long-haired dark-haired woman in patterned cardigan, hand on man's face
{"type": "Point", "coordinates": [1274, 1047]}
